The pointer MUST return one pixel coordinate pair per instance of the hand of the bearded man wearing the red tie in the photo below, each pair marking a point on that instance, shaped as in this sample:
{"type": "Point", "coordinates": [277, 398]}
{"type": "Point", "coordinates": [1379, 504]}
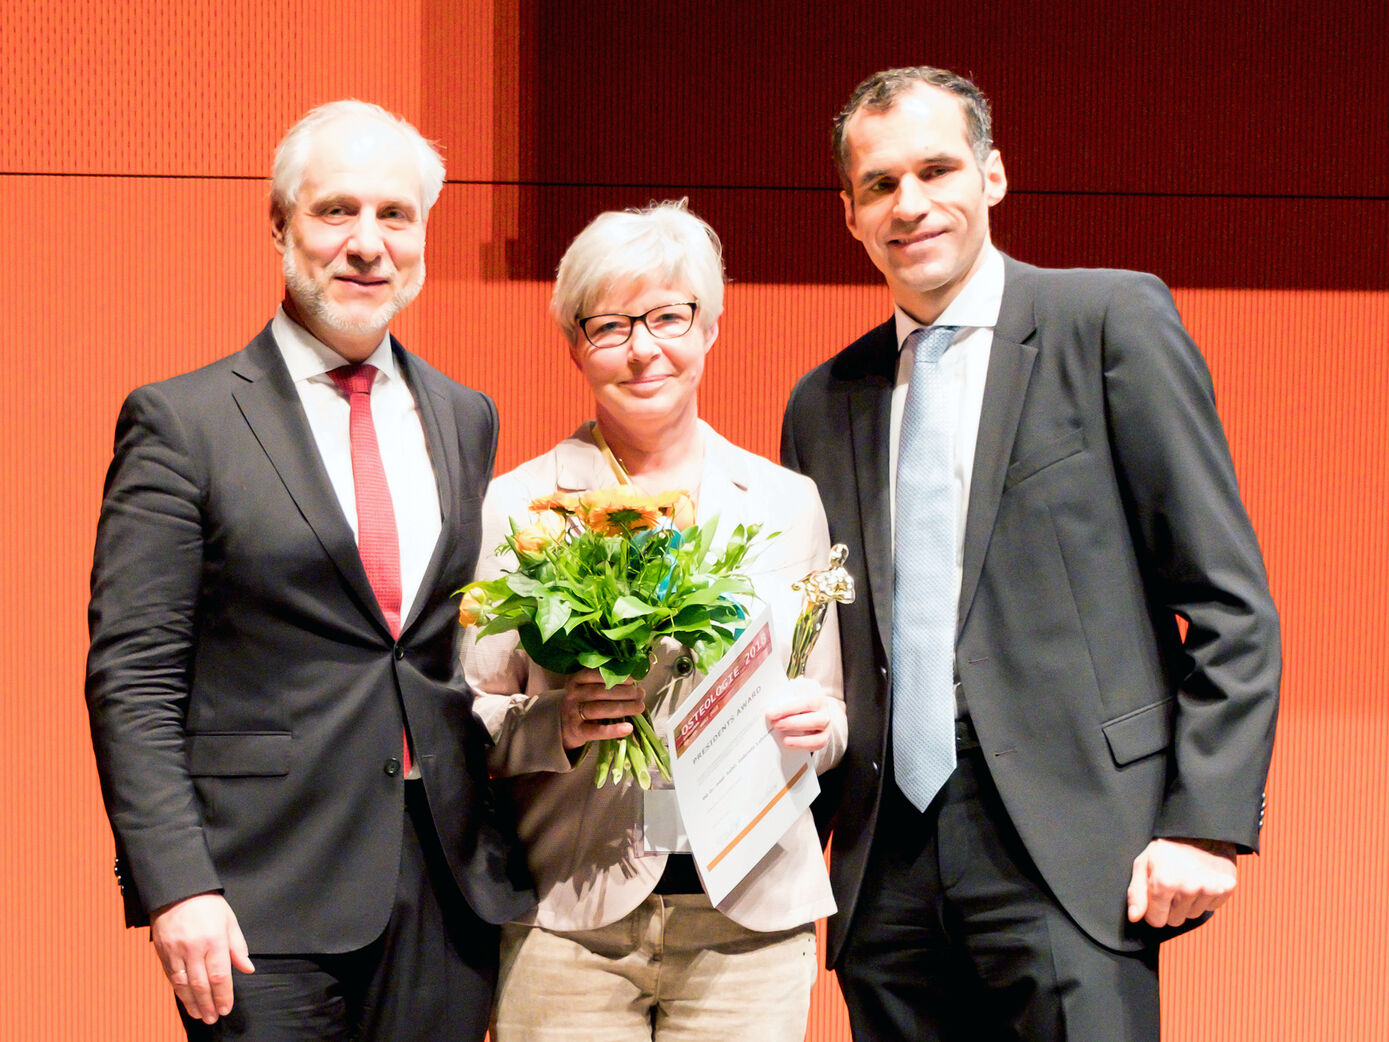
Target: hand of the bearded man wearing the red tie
{"type": "Point", "coordinates": [199, 943]}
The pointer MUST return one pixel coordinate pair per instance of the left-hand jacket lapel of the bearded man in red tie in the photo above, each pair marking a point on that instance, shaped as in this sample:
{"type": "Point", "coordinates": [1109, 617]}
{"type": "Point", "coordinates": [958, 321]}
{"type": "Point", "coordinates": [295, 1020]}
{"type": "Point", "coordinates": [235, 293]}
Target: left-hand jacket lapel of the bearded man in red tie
{"type": "Point", "coordinates": [269, 402]}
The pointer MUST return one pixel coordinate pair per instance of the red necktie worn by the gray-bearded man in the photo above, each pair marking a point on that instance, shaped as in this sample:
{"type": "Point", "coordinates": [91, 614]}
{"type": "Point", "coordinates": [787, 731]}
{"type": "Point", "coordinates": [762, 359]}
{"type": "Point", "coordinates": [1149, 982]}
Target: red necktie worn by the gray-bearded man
{"type": "Point", "coordinates": [377, 540]}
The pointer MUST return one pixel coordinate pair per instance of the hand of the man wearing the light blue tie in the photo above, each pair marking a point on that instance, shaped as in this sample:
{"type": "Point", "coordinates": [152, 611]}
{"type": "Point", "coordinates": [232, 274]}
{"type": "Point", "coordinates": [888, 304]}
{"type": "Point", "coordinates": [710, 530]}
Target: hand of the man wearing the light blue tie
{"type": "Point", "coordinates": [1176, 880]}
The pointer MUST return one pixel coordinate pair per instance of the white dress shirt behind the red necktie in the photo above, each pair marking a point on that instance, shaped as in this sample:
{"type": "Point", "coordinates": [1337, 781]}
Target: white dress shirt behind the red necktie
{"type": "Point", "coordinates": [415, 493]}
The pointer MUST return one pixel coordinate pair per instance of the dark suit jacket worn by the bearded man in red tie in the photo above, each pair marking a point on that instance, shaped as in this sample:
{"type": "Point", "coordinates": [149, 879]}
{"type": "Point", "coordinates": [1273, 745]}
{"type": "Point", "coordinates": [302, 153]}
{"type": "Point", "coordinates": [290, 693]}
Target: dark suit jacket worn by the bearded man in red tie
{"type": "Point", "coordinates": [247, 695]}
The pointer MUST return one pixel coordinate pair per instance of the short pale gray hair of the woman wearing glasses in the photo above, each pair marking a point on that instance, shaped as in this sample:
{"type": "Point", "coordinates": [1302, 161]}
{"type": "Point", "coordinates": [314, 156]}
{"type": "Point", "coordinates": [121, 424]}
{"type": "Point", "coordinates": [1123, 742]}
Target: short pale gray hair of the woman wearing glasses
{"type": "Point", "coordinates": [660, 241]}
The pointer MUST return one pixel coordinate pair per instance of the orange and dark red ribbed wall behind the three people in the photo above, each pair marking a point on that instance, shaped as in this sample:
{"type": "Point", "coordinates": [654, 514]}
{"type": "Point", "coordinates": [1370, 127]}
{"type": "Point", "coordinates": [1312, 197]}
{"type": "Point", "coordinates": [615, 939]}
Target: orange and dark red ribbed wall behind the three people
{"type": "Point", "coordinates": [1234, 149]}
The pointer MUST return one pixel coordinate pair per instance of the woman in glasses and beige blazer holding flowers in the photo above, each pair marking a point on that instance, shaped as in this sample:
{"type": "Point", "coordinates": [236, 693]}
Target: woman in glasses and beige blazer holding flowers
{"type": "Point", "coordinates": [626, 944]}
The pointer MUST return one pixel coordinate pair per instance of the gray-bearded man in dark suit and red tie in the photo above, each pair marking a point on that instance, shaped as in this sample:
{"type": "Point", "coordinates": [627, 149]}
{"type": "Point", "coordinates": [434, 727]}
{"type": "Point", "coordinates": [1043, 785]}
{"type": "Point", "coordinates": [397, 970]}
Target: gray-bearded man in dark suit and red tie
{"type": "Point", "coordinates": [290, 761]}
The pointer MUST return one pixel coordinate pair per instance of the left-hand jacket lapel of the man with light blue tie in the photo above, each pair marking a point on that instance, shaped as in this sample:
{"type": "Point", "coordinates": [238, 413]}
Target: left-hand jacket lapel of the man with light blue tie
{"type": "Point", "coordinates": [870, 417]}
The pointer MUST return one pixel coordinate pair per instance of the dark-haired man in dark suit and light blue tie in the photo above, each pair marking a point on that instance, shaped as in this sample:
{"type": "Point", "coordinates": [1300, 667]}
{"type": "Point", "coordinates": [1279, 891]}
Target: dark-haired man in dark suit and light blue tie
{"type": "Point", "coordinates": [1097, 769]}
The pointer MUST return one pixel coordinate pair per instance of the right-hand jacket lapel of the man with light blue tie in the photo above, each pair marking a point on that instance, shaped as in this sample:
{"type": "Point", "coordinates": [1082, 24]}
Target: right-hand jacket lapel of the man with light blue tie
{"type": "Point", "coordinates": [1006, 386]}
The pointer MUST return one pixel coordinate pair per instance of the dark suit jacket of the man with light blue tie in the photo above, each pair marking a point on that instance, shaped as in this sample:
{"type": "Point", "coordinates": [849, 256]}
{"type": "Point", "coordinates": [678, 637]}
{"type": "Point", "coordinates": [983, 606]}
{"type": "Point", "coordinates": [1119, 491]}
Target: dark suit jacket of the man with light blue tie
{"type": "Point", "coordinates": [1104, 504]}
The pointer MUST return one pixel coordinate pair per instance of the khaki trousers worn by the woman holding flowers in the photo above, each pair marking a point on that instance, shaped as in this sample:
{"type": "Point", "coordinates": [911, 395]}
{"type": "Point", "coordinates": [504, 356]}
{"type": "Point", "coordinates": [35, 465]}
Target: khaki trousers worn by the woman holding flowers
{"type": "Point", "coordinates": [676, 970]}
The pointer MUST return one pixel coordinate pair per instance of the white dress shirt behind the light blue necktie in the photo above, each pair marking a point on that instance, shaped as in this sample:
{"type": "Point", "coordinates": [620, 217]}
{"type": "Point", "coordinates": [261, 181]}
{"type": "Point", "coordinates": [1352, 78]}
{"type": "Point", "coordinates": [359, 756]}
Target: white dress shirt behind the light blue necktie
{"type": "Point", "coordinates": [966, 363]}
